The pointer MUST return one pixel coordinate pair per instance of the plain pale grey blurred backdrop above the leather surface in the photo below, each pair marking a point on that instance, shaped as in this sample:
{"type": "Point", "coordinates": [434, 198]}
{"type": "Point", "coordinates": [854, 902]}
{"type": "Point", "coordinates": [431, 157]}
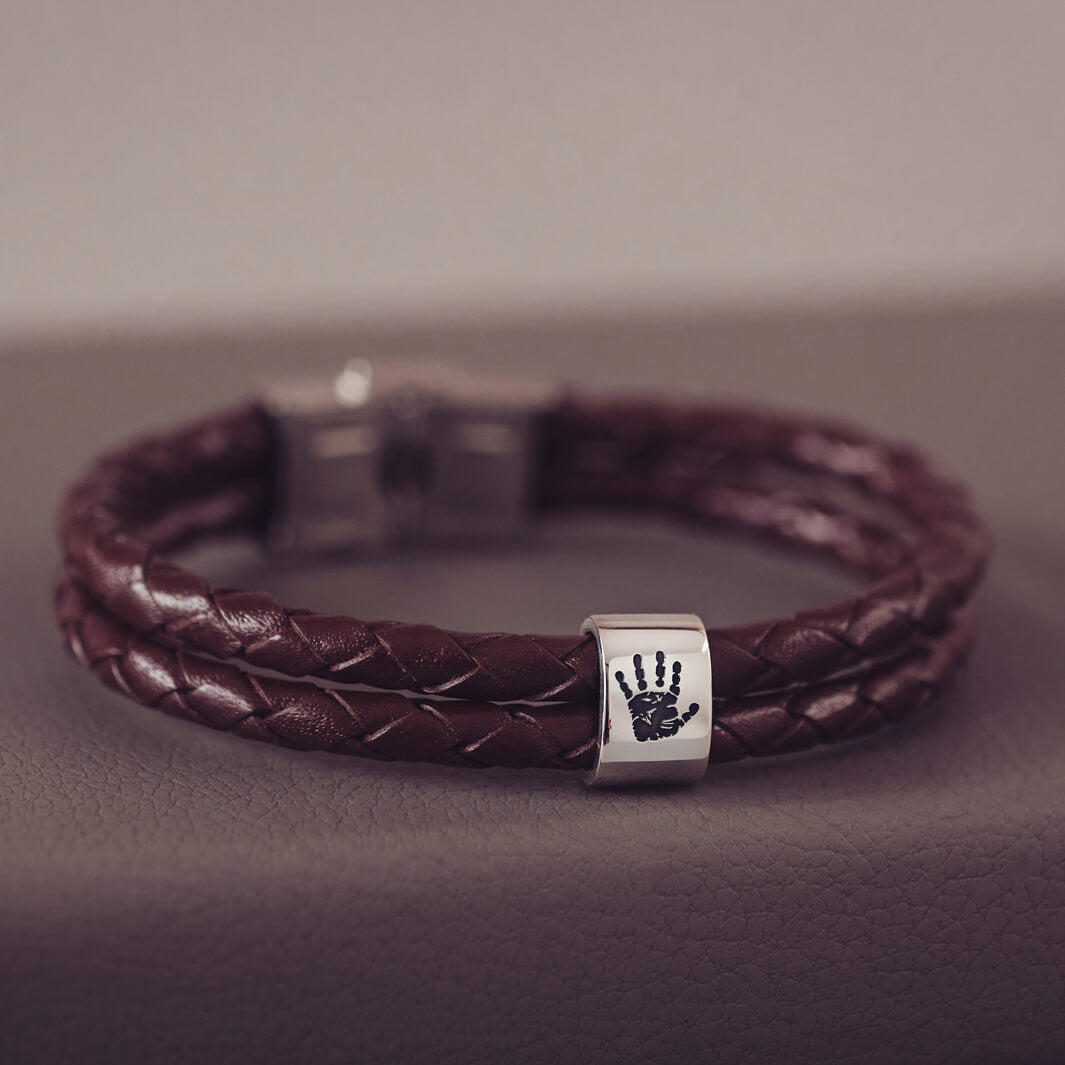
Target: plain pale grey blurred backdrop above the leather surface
{"type": "Point", "coordinates": [253, 161]}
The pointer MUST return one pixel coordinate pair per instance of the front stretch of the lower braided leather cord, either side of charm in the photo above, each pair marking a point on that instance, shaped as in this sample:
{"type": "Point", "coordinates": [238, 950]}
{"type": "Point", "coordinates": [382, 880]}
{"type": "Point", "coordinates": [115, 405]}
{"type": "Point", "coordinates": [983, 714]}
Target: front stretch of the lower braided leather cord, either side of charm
{"type": "Point", "coordinates": [385, 726]}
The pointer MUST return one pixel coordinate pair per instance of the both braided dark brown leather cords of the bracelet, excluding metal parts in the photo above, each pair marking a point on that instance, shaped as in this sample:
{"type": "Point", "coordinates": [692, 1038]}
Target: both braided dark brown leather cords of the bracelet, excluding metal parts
{"type": "Point", "coordinates": [156, 631]}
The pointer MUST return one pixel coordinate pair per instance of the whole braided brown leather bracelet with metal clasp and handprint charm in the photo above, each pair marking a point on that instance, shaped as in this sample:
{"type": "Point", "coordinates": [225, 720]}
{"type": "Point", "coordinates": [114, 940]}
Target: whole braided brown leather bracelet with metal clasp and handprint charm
{"type": "Point", "coordinates": [372, 461]}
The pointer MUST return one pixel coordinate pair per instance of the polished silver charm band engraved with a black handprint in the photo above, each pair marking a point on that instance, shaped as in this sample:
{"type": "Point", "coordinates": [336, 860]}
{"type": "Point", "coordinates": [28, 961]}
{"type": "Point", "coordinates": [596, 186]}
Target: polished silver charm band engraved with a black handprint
{"type": "Point", "coordinates": [656, 699]}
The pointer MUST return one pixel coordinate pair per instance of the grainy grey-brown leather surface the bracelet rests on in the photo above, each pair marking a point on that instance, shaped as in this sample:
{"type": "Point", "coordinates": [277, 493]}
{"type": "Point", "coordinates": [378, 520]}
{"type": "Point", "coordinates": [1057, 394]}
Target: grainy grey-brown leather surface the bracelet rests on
{"type": "Point", "coordinates": [173, 895]}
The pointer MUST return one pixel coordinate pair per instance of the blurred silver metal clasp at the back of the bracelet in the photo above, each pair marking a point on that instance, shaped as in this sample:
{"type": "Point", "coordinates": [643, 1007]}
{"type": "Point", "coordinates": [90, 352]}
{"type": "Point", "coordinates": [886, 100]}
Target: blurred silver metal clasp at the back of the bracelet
{"type": "Point", "coordinates": [402, 454]}
